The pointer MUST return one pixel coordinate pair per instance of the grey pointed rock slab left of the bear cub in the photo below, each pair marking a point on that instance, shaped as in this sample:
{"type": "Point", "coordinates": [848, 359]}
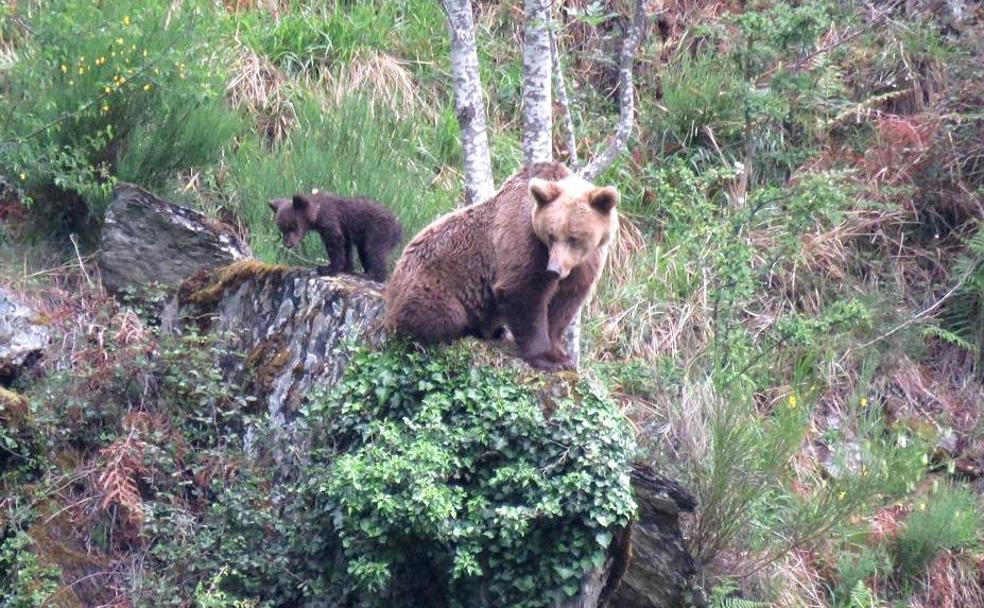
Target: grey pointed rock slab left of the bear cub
{"type": "Point", "coordinates": [148, 240]}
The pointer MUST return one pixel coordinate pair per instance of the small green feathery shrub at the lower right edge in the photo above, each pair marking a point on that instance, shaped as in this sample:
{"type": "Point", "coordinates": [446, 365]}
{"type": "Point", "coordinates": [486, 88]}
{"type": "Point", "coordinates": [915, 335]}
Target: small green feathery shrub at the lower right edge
{"type": "Point", "coordinates": [947, 519]}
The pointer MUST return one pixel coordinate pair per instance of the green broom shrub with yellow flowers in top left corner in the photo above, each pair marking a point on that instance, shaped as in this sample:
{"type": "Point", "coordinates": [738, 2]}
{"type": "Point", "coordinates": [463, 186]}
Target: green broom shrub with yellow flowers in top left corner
{"type": "Point", "coordinates": [105, 90]}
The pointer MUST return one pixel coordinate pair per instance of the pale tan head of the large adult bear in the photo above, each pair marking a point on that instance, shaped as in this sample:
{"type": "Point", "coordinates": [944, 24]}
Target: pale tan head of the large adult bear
{"type": "Point", "coordinates": [573, 218]}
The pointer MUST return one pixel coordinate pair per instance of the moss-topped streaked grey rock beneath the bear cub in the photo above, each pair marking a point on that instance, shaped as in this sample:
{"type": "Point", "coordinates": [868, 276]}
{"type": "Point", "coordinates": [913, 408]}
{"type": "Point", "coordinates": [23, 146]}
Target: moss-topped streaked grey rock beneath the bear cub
{"type": "Point", "coordinates": [290, 326]}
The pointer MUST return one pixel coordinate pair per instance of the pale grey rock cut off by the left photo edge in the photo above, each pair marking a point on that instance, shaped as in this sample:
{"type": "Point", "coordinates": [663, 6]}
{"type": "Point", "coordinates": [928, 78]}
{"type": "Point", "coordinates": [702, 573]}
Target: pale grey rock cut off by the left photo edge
{"type": "Point", "coordinates": [24, 335]}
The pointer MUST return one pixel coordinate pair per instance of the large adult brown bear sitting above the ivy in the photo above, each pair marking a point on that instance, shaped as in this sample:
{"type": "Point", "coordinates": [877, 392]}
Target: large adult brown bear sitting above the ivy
{"type": "Point", "coordinates": [524, 259]}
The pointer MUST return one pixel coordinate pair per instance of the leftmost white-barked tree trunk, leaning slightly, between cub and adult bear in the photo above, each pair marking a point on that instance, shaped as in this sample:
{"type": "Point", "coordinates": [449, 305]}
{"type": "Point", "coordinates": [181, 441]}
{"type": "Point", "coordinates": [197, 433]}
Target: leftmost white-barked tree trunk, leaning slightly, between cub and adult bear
{"type": "Point", "coordinates": [469, 105]}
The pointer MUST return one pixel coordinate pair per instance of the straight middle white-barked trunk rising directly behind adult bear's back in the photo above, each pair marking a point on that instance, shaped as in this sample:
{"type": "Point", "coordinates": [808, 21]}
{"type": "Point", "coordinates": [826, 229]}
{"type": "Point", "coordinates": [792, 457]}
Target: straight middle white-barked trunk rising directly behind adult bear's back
{"type": "Point", "coordinates": [537, 111]}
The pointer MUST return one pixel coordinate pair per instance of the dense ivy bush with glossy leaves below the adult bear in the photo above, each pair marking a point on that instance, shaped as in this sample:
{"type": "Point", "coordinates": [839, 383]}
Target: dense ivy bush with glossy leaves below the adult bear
{"type": "Point", "coordinates": [454, 473]}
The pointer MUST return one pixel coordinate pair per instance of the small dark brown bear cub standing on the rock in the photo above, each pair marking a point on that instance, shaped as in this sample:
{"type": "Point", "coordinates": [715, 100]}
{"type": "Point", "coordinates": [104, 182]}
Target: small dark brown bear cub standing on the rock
{"type": "Point", "coordinates": [343, 223]}
